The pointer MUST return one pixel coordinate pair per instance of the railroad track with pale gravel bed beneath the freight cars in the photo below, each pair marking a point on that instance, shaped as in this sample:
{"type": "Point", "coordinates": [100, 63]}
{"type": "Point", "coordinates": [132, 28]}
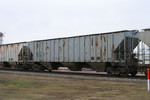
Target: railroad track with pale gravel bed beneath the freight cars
{"type": "Point", "coordinates": [76, 75]}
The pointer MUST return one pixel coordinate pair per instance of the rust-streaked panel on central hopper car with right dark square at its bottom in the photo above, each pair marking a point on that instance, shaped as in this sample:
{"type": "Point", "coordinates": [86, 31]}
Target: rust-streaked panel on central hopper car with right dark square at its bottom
{"type": "Point", "coordinates": [98, 45]}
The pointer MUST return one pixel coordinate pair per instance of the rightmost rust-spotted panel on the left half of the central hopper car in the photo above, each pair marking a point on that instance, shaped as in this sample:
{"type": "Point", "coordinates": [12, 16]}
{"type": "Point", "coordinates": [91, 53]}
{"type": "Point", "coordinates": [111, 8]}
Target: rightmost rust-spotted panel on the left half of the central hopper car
{"type": "Point", "coordinates": [61, 55]}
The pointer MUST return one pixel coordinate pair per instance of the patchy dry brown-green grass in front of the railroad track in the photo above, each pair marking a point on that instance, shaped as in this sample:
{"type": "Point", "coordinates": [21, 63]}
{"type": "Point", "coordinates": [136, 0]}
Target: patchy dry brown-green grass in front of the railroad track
{"type": "Point", "coordinates": [23, 87]}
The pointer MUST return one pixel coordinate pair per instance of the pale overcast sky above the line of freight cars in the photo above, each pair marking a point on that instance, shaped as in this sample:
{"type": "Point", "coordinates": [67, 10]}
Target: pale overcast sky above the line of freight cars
{"type": "Point", "coordinates": [27, 20]}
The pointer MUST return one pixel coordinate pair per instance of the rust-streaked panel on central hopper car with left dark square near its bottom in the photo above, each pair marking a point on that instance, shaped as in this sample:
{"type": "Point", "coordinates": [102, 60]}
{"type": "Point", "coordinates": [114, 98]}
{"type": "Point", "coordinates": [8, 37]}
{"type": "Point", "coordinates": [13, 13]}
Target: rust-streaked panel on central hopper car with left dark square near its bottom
{"type": "Point", "coordinates": [93, 49]}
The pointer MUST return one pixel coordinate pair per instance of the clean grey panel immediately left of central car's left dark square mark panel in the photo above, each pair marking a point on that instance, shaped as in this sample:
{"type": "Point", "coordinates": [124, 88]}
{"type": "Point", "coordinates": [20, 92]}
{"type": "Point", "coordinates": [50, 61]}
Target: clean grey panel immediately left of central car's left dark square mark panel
{"type": "Point", "coordinates": [87, 49]}
